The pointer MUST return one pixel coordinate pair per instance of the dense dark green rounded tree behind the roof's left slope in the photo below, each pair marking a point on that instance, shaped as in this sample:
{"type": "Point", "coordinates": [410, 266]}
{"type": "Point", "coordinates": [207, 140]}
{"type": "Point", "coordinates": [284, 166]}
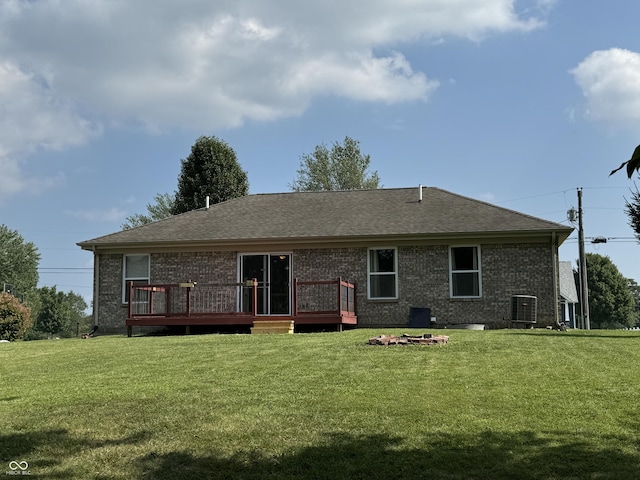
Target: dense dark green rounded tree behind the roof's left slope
{"type": "Point", "coordinates": [211, 169]}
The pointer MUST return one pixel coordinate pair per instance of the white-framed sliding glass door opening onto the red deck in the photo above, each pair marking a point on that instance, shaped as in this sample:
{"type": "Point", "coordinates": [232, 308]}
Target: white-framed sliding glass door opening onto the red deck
{"type": "Point", "coordinates": [274, 283]}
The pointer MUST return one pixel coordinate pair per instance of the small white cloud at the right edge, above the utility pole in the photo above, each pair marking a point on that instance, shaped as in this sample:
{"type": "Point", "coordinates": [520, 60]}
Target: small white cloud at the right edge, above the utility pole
{"type": "Point", "coordinates": [610, 82]}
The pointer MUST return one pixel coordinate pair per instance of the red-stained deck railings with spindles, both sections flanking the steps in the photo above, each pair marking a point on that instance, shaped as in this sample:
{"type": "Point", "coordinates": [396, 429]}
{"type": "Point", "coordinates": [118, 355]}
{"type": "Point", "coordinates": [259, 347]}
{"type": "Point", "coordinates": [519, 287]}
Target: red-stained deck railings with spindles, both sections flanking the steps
{"type": "Point", "coordinates": [310, 298]}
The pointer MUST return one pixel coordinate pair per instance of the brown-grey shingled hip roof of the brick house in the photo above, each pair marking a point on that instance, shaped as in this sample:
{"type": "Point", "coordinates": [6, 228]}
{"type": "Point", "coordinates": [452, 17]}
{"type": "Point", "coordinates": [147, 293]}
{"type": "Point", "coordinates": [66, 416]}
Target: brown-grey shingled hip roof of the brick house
{"type": "Point", "coordinates": [348, 216]}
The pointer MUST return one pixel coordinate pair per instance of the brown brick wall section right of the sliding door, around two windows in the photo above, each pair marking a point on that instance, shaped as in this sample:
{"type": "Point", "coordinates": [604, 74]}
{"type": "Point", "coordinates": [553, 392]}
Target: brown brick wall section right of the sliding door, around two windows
{"type": "Point", "coordinates": [424, 282]}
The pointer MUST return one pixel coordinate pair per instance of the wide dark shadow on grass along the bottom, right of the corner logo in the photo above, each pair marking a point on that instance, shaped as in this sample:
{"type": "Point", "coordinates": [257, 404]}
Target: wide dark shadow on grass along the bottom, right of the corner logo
{"type": "Point", "coordinates": [489, 455]}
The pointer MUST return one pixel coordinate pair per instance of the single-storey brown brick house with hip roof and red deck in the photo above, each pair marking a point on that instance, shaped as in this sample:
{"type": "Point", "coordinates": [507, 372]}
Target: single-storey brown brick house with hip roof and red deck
{"type": "Point", "coordinates": [363, 257]}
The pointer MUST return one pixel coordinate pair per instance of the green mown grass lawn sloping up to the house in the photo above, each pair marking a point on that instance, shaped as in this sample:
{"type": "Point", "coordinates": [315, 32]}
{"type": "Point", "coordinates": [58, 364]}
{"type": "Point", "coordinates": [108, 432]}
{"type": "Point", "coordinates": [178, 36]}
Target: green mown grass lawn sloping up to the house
{"type": "Point", "coordinates": [507, 404]}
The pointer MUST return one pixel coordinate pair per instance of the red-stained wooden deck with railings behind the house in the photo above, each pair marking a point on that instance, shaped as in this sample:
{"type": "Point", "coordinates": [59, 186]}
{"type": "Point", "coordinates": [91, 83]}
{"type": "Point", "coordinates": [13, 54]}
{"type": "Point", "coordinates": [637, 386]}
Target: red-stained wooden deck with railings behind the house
{"type": "Point", "coordinates": [330, 302]}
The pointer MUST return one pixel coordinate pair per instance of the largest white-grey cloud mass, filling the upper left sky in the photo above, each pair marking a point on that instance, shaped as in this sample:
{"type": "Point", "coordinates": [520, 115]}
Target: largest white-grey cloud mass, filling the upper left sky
{"type": "Point", "coordinates": [70, 66]}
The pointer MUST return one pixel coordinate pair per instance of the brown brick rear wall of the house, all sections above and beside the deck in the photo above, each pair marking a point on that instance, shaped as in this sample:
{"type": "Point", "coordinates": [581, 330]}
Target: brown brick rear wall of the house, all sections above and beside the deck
{"type": "Point", "coordinates": [423, 281]}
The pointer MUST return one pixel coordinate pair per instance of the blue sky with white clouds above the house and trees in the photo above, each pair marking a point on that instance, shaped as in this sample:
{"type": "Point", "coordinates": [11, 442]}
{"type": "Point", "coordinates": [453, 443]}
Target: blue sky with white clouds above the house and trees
{"type": "Point", "coordinates": [518, 103]}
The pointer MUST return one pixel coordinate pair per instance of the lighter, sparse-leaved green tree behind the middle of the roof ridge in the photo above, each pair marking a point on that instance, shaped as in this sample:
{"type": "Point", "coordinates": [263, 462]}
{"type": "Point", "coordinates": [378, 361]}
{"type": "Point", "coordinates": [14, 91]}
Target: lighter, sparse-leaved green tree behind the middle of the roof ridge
{"type": "Point", "coordinates": [343, 167]}
